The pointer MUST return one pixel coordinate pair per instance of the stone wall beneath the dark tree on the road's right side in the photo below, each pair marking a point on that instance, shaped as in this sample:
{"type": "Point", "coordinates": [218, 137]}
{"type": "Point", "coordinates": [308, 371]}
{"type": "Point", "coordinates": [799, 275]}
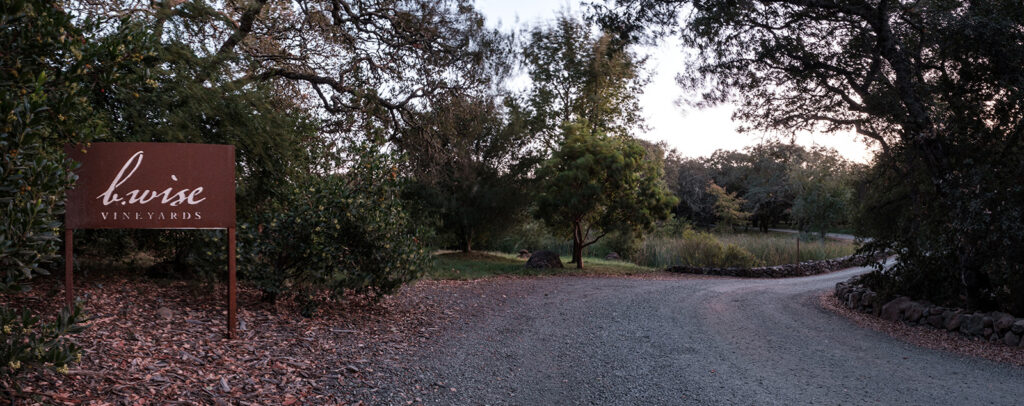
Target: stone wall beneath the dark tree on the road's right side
{"type": "Point", "coordinates": [995, 327]}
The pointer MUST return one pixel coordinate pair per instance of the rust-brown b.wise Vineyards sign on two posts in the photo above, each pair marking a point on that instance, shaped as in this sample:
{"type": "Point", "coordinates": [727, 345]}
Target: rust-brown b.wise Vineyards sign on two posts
{"type": "Point", "coordinates": [153, 186]}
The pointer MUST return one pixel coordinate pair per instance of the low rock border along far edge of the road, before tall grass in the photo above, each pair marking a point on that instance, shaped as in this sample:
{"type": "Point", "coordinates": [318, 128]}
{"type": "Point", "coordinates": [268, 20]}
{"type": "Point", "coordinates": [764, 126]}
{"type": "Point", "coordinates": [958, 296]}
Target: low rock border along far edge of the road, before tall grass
{"type": "Point", "coordinates": [806, 268]}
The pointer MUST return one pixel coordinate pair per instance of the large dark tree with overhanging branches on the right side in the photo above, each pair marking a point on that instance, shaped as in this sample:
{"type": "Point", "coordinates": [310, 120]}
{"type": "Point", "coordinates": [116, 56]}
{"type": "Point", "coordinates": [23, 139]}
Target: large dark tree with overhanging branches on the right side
{"type": "Point", "coordinates": [936, 85]}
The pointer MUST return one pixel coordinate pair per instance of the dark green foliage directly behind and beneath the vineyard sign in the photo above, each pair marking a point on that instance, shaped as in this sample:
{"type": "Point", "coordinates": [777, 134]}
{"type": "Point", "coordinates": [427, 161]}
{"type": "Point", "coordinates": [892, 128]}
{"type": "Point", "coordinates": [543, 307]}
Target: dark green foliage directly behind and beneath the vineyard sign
{"type": "Point", "coordinates": [150, 88]}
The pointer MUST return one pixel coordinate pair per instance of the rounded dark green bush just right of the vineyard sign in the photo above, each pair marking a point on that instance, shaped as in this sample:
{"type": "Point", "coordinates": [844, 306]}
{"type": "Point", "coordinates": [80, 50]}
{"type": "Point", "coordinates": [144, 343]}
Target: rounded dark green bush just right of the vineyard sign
{"type": "Point", "coordinates": [335, 233]}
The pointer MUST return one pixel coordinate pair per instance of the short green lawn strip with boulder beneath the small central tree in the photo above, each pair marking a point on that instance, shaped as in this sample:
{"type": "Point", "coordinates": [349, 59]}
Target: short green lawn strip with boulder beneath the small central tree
{"type": "Point", "coordinates": [459, 266]}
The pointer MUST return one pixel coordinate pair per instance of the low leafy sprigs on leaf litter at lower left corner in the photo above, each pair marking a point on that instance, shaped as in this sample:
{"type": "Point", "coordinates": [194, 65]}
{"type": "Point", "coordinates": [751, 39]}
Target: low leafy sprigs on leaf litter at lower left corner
{"type": "Point", "coordinates": [26, 343]}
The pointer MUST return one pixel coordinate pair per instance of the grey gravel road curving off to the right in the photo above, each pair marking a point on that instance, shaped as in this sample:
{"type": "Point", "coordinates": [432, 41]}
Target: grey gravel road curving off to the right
{"type": "Point", "coordinates": [681, 341]}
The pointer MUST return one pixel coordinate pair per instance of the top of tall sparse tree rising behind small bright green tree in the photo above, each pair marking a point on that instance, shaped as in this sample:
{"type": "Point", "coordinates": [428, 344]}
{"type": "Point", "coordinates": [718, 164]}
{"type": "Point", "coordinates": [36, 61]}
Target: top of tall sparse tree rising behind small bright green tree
{"type": "Point", "coordinates": [579, 76]}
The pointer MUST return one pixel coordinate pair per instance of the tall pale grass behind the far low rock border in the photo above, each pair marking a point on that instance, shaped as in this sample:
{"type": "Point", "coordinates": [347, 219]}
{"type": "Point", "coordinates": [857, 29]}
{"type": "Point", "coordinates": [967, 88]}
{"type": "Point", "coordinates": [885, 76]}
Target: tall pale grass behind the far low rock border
{"type": "Point", "coordinates": [756, 250]}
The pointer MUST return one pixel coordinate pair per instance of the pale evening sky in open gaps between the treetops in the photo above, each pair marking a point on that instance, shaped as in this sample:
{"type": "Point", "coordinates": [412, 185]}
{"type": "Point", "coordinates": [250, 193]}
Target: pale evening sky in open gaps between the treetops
{"type": "Point", "coordinates": [693, 133]}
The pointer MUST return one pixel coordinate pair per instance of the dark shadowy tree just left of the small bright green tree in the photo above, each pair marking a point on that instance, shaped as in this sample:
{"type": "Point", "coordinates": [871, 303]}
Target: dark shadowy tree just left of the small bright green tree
{"type": "Point", "coordinates": [479, 185]}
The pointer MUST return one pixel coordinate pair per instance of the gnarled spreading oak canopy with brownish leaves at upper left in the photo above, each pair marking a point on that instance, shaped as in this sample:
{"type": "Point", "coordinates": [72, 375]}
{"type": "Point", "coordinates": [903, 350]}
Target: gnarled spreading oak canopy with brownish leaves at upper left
{"type": "Point", "coordinates": [366, 67]}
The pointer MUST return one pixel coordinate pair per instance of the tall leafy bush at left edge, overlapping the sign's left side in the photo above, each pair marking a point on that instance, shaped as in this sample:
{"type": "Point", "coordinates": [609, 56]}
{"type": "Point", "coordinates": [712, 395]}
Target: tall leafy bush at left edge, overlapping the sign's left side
{"type": "Point", "coordinates": [42, 109]}
